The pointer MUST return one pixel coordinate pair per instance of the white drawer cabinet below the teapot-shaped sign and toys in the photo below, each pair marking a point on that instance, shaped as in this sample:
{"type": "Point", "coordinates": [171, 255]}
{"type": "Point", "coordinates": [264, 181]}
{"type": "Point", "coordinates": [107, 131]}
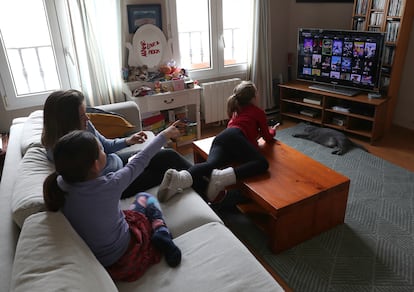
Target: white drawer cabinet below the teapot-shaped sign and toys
{"type": "Point", "coordinates": [167, 100]}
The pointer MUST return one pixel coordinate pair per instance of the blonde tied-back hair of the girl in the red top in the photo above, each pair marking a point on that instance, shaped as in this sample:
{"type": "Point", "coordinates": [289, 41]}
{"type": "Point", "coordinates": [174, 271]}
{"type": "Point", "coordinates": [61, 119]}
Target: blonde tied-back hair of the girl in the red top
{"type": "Point", "coordinates": [242, 95]}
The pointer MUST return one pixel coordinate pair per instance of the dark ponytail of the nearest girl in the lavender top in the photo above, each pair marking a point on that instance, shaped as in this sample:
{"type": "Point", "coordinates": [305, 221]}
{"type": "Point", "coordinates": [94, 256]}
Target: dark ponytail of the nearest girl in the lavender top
{"type": "Point", "coordinates": [53, 195]}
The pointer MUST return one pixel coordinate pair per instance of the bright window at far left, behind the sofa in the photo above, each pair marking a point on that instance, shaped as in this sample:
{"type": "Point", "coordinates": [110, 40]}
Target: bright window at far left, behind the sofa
{"type": "Point", "coordinates": [32, 56]}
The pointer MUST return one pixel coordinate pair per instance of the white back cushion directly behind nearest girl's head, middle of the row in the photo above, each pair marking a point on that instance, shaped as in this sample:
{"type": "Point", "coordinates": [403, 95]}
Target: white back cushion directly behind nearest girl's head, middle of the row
{"type": "Point", "coordinates": [27, 196]}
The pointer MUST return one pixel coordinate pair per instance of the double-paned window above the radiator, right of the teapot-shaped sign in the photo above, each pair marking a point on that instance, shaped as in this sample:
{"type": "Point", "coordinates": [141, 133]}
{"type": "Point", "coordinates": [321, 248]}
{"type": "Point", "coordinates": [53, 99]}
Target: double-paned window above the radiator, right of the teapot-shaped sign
{"type": "Point", "coordinates": [213, 36]}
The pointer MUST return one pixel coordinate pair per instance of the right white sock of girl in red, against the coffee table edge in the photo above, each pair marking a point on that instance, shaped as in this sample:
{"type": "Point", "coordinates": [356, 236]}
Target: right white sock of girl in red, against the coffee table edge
{"type": "Point", "coordinates": [220, 178]}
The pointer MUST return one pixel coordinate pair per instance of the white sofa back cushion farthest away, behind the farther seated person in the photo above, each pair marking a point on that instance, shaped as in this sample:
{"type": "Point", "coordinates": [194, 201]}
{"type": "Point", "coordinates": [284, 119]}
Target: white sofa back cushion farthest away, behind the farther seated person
{"type": "Point", "coordinates": [32, 131]}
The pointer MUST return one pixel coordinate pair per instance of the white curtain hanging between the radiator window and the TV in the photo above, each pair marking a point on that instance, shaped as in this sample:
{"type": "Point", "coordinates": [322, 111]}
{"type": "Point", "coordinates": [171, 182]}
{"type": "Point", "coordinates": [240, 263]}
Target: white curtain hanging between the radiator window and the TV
{"type": "Point", "coordinates": [261, 61]}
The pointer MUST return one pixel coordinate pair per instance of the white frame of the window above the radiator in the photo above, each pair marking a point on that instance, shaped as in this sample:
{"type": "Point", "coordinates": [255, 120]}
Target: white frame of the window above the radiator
{"type": "Point", "coordinates": [217, 69]}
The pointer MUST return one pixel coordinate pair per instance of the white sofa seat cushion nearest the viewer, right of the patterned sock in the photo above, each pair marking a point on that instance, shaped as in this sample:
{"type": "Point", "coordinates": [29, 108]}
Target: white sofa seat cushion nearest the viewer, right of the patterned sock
{"type": "Point", "coordinates": [213, 259]}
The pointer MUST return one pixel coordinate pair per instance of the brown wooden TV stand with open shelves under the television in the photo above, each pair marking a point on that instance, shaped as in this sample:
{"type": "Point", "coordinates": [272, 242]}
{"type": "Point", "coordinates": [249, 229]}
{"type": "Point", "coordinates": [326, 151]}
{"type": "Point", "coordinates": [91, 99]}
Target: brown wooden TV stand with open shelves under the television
{"type": "Point", "coordinates": [357, 114]}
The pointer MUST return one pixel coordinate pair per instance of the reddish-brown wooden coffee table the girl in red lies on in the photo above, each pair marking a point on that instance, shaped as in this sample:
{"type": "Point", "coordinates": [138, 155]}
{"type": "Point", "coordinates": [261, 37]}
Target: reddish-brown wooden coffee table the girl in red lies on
{"type": "Point", "coordinates": [299, 196]}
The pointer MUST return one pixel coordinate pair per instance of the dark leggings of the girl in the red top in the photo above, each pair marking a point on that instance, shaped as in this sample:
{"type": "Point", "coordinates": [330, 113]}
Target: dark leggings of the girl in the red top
{"type": "Point", "coordinates": [230, 147]}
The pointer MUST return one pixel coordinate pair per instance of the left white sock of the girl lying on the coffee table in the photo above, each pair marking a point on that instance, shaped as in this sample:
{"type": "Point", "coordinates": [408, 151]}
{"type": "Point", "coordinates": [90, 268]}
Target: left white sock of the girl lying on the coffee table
{"type": "Point", "coordinates": [173, 182]}
